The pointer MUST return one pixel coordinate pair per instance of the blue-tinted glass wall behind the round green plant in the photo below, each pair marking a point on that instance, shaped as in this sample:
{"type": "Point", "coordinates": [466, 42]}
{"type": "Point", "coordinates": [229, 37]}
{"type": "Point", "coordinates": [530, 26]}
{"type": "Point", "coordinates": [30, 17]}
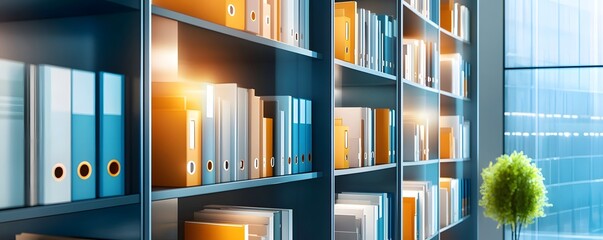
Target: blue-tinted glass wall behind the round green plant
{"type": "Point", "coordinates": [554, 108]}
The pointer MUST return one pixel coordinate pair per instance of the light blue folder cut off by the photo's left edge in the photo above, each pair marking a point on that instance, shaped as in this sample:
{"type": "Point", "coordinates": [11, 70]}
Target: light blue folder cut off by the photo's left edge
{"type": "Point", "coordinates": [12, 134]}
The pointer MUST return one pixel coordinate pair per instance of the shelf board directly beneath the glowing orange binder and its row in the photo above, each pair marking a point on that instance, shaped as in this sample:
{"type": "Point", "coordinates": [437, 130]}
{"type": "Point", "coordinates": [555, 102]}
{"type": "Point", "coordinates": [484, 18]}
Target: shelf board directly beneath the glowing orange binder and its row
{"type": "Point", "coordinates": [169, 193]}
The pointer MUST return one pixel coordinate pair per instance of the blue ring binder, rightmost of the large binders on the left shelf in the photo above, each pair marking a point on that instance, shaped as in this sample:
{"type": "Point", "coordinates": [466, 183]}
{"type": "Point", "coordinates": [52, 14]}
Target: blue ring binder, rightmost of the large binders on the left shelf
{"type": "Point", "coordinates": [111, 135]}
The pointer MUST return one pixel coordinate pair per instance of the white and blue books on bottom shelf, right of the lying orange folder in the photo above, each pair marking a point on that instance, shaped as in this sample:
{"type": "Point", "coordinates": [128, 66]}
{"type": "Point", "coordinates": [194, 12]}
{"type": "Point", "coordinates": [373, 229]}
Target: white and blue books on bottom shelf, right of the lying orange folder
{"type": "Point", "coordinates": [363, 216]}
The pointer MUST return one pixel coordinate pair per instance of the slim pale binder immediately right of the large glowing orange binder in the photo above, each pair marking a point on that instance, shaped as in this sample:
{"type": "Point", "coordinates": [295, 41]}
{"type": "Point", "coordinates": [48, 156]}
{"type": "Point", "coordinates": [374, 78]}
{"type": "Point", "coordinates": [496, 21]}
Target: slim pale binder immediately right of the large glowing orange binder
{"type": "Point", "coordinates": [209, 139]}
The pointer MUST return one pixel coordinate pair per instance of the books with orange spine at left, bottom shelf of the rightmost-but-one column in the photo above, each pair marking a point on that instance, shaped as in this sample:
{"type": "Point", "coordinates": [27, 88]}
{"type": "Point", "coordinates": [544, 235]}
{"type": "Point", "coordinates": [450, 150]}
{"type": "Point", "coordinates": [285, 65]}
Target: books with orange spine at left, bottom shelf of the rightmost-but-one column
{"type": "Point", "coordinates": [420, 210]}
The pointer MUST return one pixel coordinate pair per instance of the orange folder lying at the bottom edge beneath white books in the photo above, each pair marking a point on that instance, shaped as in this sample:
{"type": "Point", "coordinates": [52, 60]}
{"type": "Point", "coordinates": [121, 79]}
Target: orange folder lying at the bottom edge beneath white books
{"type": "Point", "coordinates": [215, 231]}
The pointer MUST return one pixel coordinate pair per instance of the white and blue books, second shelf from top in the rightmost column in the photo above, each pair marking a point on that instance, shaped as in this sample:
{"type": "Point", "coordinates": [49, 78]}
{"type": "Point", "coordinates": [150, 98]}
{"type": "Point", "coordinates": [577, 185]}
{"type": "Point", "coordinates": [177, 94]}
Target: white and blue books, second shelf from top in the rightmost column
{"type": "Point", "coordinates": [455, 74]}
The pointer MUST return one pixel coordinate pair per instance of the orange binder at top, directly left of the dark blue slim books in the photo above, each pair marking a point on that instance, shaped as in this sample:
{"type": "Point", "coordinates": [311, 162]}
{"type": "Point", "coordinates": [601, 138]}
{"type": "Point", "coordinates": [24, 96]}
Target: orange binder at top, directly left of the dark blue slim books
{"type": "Point", "coordinates": [349, 11]}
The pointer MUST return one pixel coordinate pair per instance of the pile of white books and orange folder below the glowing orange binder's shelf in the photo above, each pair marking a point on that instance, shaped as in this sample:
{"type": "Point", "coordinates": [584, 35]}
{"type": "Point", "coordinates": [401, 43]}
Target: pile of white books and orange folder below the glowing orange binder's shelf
{"type": "Point", "coordinates": [240, 223]}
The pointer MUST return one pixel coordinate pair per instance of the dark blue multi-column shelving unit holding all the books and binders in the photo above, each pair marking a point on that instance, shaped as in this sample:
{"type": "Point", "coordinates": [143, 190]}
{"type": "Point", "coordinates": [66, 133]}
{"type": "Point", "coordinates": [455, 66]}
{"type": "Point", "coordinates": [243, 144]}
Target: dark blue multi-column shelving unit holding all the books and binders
{"type": "Point", "coordinates": [117, 36]}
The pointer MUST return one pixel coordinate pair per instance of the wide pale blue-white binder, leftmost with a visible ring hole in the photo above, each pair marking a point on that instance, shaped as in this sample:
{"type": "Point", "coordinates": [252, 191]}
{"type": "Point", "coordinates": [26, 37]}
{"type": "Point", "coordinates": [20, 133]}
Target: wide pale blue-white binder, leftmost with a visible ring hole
{"type": "Point", "coordinates": [54, 153]}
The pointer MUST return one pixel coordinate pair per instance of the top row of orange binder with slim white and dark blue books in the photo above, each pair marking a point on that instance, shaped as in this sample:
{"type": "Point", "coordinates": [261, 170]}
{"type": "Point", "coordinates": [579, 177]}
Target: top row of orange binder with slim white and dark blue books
{"type": "Point", "coordinates": [365, 38]}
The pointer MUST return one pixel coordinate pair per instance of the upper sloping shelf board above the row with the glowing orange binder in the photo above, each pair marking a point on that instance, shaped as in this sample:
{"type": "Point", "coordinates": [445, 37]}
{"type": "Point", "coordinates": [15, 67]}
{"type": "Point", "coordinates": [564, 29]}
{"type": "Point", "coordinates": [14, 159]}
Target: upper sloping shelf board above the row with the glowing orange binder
{"type": "Point", "coordinates": [244, 36]}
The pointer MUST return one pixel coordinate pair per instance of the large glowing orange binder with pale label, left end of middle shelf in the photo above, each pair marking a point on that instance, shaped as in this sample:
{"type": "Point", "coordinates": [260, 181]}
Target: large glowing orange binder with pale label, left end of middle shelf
{"type": "Point", "coordinates": [176, 143]}
